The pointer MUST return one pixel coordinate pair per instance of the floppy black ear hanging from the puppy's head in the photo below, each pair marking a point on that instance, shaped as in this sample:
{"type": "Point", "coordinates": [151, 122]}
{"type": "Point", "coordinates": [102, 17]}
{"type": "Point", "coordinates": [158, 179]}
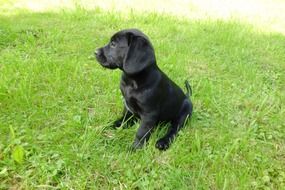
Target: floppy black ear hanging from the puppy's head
{"type": "Point", "coordinates": [139, 56]}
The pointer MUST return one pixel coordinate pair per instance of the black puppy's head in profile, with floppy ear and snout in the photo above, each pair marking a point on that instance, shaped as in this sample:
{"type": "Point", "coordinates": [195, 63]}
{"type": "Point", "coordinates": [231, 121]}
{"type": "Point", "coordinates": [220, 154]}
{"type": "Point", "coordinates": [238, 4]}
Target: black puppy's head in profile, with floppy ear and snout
{"type": "Point", "coordinates": [129, 50]}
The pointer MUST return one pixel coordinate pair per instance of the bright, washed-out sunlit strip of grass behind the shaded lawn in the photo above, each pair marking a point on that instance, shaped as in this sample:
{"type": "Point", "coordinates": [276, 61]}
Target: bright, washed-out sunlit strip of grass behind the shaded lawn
{"type": "Point", "coordinates": [267, 15]}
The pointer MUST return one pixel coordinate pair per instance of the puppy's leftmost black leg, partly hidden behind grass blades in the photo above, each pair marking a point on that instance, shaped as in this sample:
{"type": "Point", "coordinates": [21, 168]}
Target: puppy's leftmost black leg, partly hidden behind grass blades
{"type": "Point", "coordinates": [127, 119]}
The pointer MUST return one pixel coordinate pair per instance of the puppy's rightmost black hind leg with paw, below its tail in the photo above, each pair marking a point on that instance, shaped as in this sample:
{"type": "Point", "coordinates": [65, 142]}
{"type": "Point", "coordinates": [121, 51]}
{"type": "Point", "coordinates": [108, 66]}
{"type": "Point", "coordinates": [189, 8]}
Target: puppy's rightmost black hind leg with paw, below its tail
{"type": "Point", "coordinates": [176, 125]}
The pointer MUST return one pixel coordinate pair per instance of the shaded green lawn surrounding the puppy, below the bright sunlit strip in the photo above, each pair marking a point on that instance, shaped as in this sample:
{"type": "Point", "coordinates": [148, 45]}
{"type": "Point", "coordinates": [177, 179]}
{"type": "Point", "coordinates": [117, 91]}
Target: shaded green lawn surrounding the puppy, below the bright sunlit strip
{"type": "Point", "coordinates": [56, 104]}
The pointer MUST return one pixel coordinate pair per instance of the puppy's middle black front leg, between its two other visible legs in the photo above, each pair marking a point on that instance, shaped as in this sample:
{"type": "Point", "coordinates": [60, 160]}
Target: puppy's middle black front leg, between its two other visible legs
{"type": "Point", "coordinates": [143, 133]}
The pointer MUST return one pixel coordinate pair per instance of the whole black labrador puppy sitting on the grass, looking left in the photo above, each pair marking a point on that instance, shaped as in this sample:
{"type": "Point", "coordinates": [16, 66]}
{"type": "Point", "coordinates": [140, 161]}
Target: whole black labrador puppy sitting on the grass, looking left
{"type": "Point", "coordinates": [148, 93]}
